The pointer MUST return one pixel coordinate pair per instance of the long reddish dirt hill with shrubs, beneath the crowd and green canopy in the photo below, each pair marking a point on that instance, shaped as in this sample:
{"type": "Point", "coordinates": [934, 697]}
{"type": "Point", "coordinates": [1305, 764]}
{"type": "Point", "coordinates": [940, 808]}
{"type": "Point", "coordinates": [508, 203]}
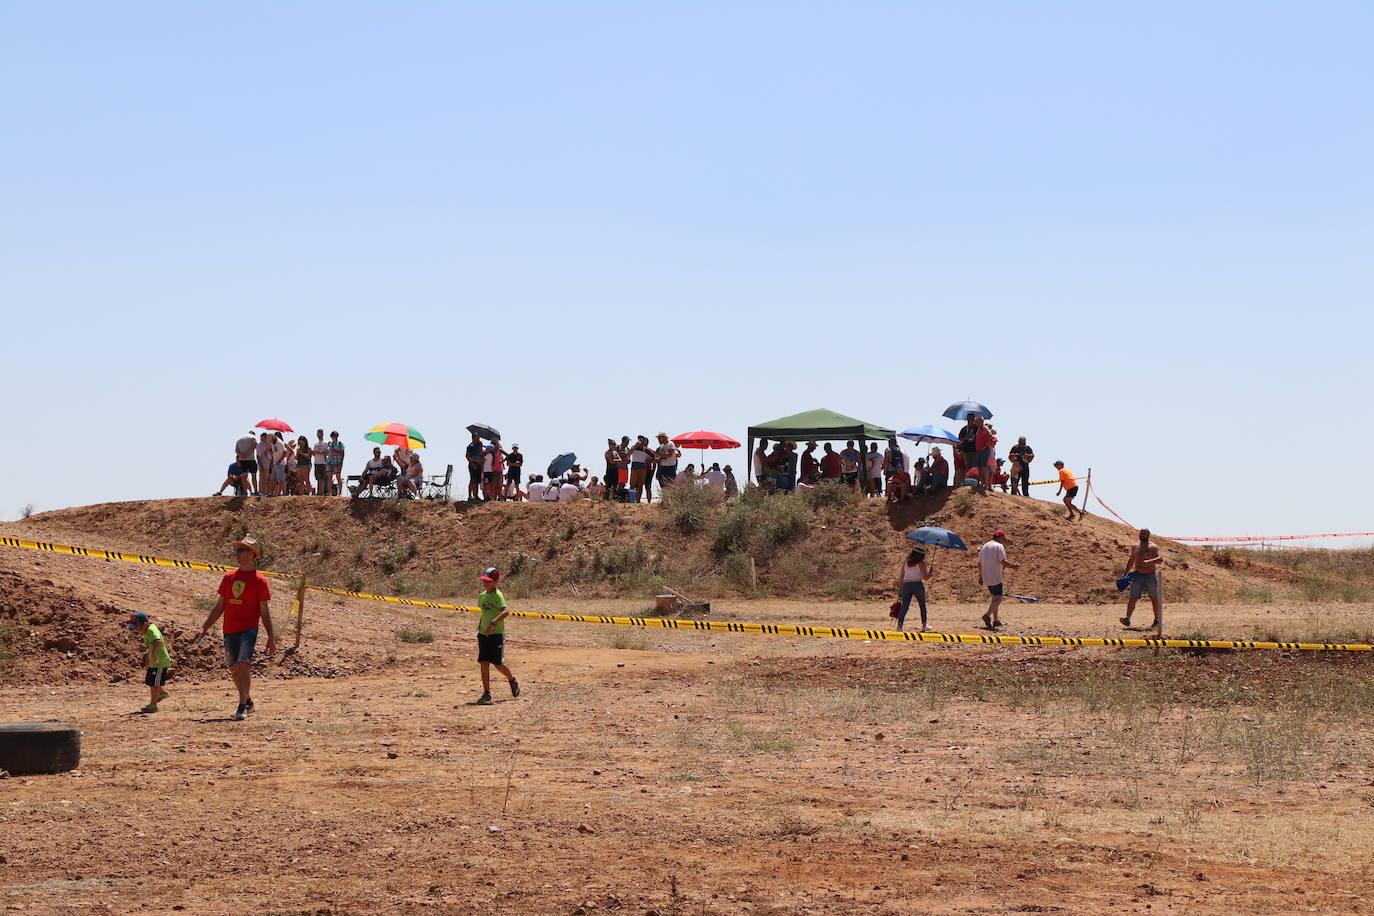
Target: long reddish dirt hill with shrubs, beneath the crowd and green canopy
{"type": "Point", "coordinates": [837, 550]}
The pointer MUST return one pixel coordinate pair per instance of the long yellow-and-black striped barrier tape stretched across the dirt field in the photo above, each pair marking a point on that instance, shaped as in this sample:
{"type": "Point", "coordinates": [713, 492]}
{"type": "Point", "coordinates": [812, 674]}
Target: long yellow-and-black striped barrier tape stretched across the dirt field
{"type": "Point", "coordinates": [732, 627]}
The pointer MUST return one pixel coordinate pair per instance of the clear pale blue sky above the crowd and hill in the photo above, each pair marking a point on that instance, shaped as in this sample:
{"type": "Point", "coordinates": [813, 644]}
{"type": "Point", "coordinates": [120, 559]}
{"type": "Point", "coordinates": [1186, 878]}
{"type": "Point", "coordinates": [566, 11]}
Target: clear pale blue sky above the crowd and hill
{"type": "Point", "coordinates": [1141, 233]}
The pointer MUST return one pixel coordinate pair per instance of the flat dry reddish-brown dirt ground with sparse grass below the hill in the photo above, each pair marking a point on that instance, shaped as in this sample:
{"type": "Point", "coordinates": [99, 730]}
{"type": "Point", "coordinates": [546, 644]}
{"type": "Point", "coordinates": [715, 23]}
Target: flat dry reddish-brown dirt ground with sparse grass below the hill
{"type": "Point", "coordinates": [678, 772]}
